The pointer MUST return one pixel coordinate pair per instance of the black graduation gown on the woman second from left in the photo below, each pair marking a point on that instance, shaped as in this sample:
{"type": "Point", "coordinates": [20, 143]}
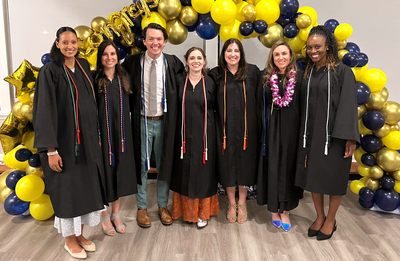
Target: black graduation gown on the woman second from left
{"type": "Point", "coordinates": [121, 178]}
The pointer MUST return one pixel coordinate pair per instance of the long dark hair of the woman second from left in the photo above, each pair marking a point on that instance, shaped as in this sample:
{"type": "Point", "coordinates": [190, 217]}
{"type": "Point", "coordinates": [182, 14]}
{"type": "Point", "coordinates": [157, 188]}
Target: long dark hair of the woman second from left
{"type": "Point", "coordinates": [99, 76]}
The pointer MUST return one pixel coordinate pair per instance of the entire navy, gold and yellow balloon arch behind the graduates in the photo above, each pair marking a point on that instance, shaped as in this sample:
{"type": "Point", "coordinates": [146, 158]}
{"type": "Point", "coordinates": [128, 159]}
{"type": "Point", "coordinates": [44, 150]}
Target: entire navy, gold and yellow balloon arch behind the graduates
{"type": "Point", "coordinates": [22, 187]}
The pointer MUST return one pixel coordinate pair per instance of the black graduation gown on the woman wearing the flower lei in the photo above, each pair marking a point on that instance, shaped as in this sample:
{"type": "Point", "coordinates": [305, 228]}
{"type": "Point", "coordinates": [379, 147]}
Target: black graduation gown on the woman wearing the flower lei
{"type": "Point", "coordinates": [276, 174]}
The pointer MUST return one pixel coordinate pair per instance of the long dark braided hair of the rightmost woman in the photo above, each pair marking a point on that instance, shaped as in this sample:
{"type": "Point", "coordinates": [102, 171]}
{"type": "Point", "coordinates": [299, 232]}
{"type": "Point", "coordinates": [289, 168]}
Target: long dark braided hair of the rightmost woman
{"type": "Point", "coordinates": [332, 57]}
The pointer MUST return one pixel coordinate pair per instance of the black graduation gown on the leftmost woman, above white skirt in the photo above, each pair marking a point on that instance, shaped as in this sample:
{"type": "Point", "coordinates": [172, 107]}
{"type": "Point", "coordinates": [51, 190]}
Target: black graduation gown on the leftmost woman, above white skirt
{"type": "Point", "coordinates": [79, 188]}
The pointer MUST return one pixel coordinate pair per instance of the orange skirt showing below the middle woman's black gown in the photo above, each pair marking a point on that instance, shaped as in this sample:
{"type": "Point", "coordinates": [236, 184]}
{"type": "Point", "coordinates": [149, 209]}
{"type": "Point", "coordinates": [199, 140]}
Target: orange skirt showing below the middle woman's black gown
{"type": "Point", "coordinates": [192, 208]}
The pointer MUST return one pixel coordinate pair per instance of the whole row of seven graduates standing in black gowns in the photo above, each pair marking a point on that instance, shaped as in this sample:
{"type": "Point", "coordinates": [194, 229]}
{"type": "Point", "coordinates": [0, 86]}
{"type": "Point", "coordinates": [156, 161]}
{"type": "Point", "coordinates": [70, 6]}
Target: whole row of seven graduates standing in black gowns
{"type": "Point", "coordinates": [282, 129]}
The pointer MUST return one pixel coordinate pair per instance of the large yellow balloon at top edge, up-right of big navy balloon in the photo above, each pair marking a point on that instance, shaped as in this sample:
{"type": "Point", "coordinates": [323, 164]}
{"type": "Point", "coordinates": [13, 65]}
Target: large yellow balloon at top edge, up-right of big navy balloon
{"type": "Point", "coordinates": [223, 12]}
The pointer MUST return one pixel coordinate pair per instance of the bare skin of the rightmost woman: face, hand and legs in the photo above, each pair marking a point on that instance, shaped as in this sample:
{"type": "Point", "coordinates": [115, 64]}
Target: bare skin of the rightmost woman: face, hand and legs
{"type": "Point", "coordinates": [317, 48]}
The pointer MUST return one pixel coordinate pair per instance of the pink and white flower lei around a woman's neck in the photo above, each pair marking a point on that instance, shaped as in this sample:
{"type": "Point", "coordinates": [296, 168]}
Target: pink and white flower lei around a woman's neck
{"type": "Point", "coordinates": [287, 97]}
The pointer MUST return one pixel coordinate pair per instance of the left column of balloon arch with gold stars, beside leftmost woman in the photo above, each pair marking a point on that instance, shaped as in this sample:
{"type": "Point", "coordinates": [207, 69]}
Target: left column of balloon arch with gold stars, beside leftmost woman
{"type": "Point", "coordinates": [22, 186]}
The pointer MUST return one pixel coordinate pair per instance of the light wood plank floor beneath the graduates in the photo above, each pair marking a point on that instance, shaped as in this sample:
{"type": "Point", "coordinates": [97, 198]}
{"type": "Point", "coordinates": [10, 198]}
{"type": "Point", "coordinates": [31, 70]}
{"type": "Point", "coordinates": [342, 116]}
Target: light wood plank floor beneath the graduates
{"type": "Point", "coordinates": [361, 235]}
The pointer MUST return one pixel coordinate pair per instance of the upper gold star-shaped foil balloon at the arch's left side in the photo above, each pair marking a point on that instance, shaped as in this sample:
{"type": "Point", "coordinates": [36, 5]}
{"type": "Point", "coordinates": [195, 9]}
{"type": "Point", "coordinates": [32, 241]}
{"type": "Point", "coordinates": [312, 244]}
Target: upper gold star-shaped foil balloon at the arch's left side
{"type": "Point", "coordinates": [23, 78]}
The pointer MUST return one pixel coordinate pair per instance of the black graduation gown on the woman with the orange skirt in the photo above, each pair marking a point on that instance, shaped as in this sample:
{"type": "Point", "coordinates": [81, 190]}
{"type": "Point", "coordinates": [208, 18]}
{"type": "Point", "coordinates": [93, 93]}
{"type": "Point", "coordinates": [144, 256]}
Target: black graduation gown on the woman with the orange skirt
{"type": "Point", "coordinates": [190, 176]}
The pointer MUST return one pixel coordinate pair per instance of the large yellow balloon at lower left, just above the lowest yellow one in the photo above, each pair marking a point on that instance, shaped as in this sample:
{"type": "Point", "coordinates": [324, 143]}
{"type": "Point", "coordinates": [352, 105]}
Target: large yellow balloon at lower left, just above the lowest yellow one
{"type": "Point", "coordinates": [29, 188]}
